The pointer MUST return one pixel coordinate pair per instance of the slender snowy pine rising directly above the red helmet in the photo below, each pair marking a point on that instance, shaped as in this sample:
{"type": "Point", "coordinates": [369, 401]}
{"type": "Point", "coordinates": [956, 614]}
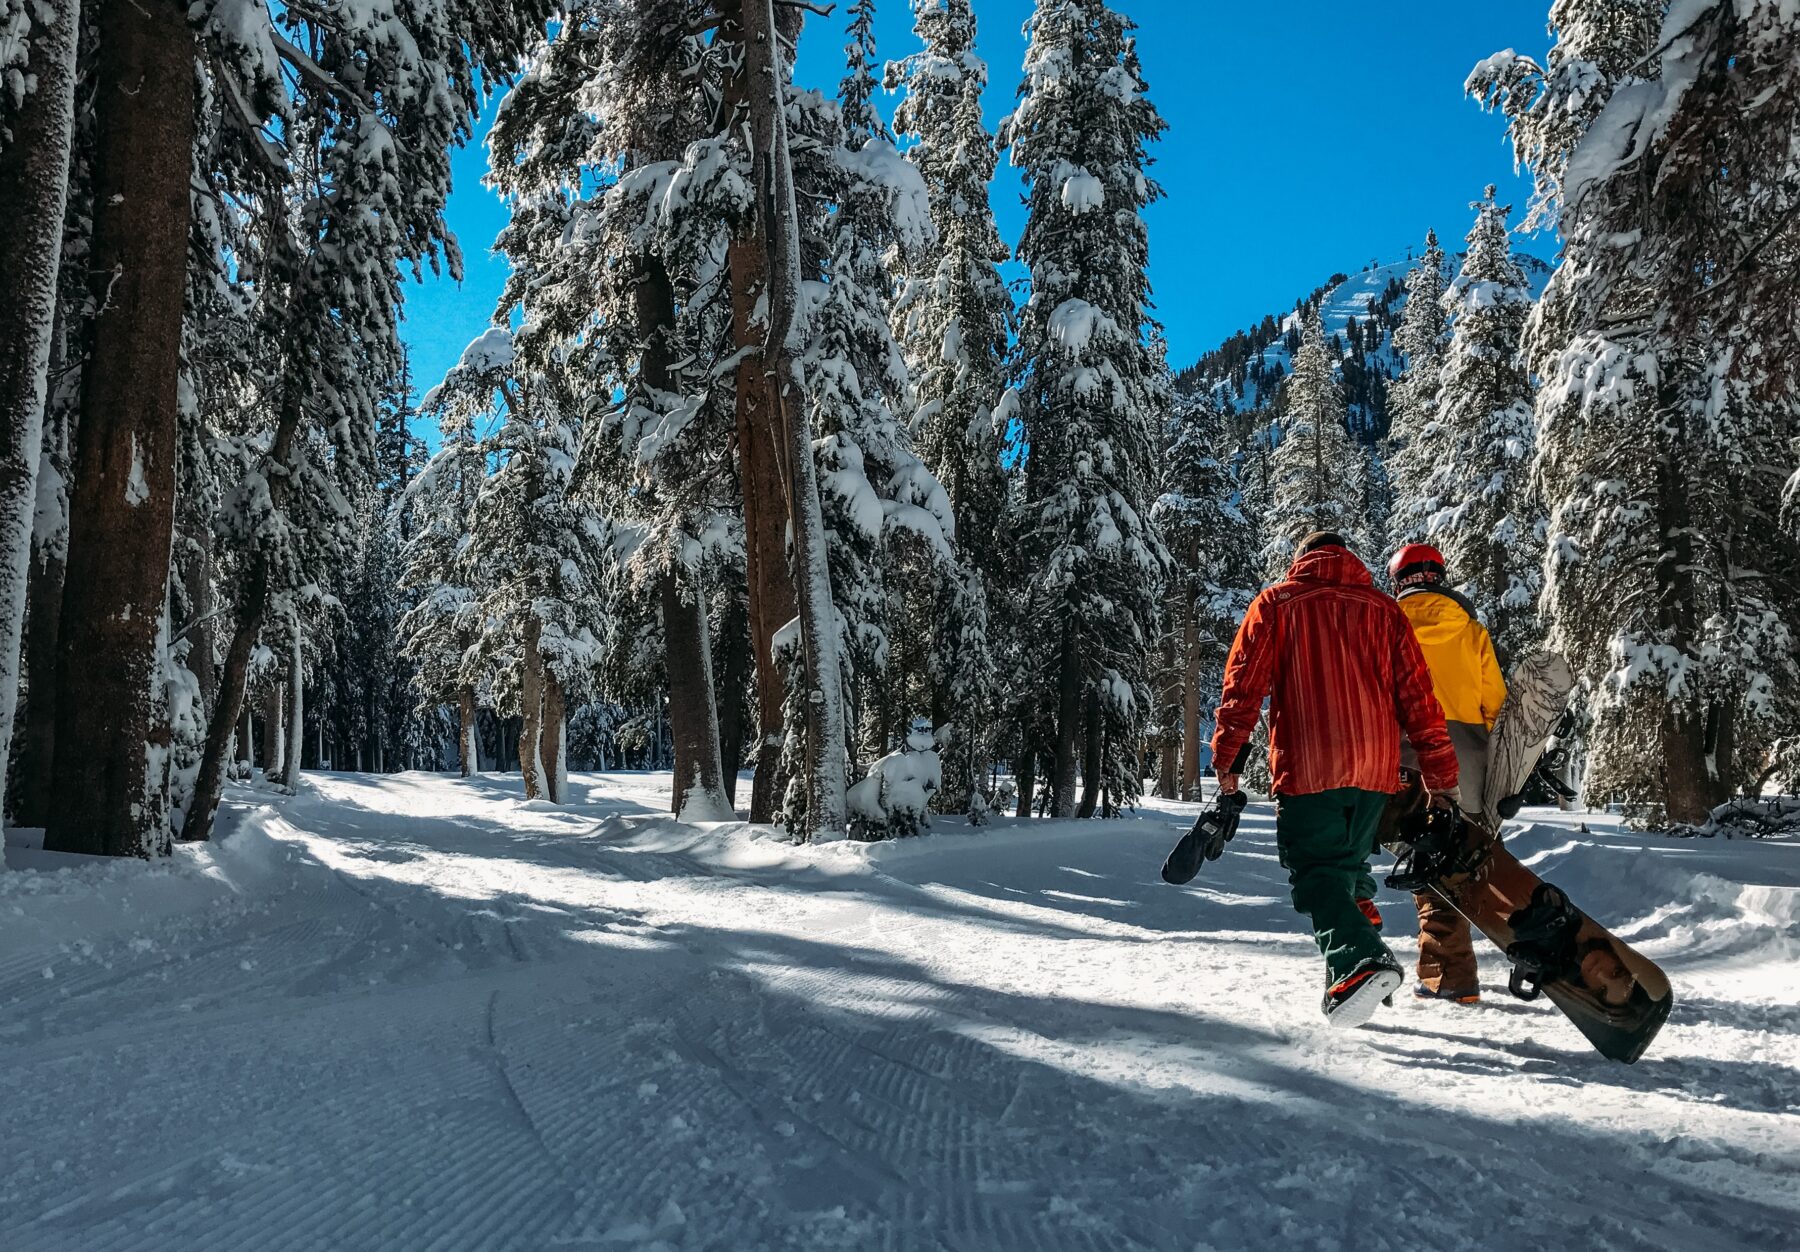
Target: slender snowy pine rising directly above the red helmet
{"type": "Point", "coordinates": [1414, 451]}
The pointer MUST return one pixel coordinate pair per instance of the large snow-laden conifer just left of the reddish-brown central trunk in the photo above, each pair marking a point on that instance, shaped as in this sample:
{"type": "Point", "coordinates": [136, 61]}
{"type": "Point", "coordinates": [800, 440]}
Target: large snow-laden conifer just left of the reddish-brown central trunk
{"type": "Point", "coordinates": [625, 274]}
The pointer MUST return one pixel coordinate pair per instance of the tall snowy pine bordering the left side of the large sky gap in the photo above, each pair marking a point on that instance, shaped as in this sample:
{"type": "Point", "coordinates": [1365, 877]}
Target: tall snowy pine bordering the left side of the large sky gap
{"type": "Point", "coordinates": [1093, 391]}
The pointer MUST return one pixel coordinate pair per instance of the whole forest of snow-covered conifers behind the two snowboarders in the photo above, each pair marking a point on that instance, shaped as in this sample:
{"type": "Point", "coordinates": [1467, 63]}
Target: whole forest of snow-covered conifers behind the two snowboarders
{"type": "Point", "coordinates": [766, 469]}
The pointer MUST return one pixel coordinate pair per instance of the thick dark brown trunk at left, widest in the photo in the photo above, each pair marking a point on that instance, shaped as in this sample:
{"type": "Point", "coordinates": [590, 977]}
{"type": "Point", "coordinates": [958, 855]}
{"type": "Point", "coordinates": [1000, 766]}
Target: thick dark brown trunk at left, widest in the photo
{"type": "Point", "coordinates": [123, 499]}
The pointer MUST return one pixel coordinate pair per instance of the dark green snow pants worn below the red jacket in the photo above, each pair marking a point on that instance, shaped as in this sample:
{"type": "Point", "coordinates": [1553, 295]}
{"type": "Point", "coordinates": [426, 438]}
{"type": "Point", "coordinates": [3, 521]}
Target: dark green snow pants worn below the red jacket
{"type": "Point", "coordinates": [1326, 841]}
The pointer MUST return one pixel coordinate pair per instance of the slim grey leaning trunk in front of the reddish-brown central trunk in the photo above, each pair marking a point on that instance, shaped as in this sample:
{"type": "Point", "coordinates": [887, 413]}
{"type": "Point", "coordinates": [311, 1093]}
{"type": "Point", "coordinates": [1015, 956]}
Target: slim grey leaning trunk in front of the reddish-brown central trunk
{"type": "Point", "coordinates": [827, 816]}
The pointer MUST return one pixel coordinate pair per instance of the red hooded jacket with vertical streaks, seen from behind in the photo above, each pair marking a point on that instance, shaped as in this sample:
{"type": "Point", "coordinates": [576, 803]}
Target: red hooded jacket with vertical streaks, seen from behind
{"type": "Point", "coordinates": [1345, 679]}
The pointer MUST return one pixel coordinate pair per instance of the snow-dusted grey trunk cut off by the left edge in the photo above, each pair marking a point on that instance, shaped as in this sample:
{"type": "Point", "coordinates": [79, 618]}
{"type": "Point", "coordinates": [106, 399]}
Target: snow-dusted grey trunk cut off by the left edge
{"type": "Point", "coordinates": [33, 197]}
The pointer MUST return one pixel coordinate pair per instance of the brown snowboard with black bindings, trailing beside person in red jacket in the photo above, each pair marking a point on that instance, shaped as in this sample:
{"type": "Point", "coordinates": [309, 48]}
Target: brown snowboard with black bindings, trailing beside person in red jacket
{"type": "Point", "coordinates": [1615, 996]}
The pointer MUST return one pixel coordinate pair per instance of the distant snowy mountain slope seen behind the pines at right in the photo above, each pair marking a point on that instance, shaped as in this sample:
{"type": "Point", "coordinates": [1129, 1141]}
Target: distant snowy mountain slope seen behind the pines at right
{"type": "Point", "coordinates": [1360, 312]}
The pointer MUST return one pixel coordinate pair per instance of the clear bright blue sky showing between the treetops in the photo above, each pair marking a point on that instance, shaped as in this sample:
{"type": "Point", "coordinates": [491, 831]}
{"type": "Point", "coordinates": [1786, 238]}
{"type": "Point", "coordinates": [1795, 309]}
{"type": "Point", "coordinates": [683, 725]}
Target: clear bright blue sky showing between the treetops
{"type": "Point", "coordinates": [1304, 138]}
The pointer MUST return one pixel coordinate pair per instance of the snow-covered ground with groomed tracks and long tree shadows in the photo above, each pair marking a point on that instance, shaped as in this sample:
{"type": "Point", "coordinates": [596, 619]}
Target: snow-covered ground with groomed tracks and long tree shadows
{"type": "Point", "coordinates": [418, 1014]}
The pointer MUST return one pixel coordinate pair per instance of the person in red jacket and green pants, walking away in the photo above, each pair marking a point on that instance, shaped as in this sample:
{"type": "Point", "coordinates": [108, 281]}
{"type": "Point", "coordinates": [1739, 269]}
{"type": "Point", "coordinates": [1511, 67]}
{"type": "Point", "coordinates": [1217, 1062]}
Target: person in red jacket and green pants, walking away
{"type": "Point", "coordinates": [1345, 679]}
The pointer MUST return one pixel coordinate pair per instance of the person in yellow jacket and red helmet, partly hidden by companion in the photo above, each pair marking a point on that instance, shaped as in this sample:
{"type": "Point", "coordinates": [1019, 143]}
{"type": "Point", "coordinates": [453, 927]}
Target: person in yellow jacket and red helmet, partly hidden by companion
{"type": "Point", "coordinates": [1470, 686]}
